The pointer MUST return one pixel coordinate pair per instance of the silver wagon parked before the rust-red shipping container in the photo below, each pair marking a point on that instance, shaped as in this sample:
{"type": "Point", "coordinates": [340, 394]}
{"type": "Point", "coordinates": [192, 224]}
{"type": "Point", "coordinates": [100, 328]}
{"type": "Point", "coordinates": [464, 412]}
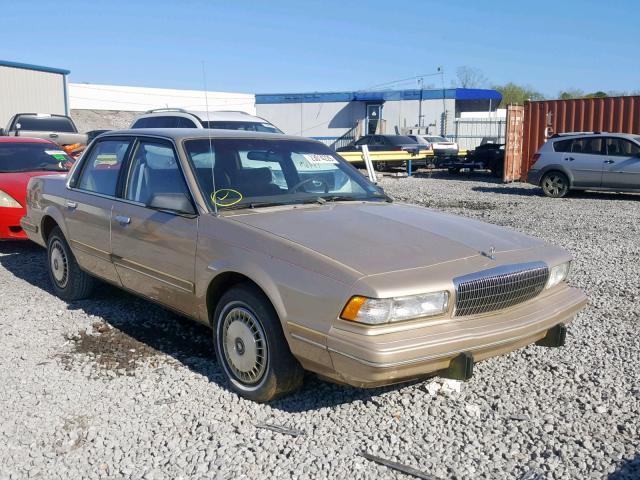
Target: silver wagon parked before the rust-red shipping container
{"type": "Point", "coordinates": [587, 161]}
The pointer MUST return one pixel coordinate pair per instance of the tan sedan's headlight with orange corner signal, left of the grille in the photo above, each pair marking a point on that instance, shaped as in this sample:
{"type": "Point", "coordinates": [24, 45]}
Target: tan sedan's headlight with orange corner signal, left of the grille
{"type": "Point", "coordinates": [377, 311]}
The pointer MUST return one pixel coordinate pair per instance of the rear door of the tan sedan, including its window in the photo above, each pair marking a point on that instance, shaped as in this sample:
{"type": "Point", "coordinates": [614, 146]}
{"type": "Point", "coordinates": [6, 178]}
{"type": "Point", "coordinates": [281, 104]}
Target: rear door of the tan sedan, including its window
{"type": "Point", "coordinates": [89, 202]}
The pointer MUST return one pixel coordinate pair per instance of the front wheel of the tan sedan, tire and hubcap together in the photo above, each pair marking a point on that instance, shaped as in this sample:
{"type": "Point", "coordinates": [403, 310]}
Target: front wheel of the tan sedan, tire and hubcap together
{"type": "Point", "coordinates": [251, 347]}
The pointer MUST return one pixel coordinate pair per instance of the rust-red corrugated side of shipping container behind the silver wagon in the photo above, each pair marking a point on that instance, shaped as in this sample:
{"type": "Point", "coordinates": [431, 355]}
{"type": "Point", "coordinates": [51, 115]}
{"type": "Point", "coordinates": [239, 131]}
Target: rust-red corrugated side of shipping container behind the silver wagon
{"type": "Point", "coordinates": [544, 118]}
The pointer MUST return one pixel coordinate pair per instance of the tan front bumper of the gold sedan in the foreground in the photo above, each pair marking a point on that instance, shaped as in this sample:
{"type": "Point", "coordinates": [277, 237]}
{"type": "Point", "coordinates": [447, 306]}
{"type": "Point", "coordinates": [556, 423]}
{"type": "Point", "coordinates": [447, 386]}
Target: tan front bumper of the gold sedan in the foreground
{"type": "Point", "coordinates": [370, 359]}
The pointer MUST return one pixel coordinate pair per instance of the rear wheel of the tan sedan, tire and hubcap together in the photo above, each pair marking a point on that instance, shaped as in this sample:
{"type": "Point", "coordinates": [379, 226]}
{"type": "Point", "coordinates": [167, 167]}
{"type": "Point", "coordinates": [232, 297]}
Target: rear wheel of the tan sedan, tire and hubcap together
{"type": "Point", "coordinates": [69, 281]}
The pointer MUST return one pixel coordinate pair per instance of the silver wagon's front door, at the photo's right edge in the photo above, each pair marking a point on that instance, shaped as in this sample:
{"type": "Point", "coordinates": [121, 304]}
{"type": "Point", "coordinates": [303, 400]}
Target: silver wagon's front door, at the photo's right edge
{"type": "Point", "coordinates": [622, 165]}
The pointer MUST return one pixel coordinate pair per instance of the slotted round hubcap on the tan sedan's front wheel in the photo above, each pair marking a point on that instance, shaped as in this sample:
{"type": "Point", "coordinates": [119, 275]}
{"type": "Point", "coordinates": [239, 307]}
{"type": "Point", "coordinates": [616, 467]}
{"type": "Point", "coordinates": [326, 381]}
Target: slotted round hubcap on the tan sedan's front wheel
{"type": "Point", "coordinates": [244, 345]}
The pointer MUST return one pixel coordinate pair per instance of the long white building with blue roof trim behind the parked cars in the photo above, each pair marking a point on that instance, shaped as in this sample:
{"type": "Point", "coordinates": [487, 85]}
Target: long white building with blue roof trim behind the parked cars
{"type": "Point", "coordinates": [328, 116]}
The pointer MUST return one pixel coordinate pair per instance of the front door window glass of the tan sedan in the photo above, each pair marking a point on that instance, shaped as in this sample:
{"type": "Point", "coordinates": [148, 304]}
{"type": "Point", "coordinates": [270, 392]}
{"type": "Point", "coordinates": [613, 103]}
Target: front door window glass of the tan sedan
{"type": "Point", "coordinates": [153, 170]}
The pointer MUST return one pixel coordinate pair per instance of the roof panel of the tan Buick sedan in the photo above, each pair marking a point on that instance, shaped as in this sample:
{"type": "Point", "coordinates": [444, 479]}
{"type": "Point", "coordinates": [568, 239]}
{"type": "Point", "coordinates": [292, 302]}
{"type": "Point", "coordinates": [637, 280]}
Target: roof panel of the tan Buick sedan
{"type": "Point", "coordinates": [179, 134]}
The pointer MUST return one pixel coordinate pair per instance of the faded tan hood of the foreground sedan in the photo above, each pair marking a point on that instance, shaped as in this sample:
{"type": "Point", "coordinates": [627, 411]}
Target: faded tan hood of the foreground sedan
{"type": "Point", "coordinates": [375, 238]}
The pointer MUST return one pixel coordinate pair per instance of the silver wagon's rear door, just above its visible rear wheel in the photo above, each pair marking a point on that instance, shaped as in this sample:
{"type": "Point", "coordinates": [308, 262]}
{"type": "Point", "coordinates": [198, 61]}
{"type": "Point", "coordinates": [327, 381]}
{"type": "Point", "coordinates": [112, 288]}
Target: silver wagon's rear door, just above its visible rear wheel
{"type": "Point", "coordinates": [586, 160]}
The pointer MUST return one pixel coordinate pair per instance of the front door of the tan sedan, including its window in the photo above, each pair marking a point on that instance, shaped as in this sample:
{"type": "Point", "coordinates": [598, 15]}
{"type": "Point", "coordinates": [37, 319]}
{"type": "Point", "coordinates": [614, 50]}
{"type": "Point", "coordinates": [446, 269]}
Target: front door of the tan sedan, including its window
{"type": "Point", "coordinates": [154, 248]}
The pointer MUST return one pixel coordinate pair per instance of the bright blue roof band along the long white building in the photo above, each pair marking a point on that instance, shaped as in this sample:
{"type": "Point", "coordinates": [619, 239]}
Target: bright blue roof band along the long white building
{"type": "Point", "coordinates": [380, 95]}
